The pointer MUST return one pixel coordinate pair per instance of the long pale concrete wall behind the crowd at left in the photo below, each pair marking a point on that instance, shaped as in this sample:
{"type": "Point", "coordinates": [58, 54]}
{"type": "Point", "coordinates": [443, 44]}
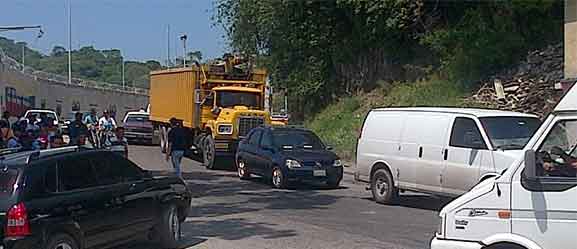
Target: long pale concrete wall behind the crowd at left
{"type": "Point", "coordinates": [62, 97]}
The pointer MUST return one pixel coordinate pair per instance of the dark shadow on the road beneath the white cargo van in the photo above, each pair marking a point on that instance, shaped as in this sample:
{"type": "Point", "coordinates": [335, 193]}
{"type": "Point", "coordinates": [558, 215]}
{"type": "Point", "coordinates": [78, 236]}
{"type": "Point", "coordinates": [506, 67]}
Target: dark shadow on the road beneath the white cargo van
{"type": "Point", "coordinates": [424, 202]}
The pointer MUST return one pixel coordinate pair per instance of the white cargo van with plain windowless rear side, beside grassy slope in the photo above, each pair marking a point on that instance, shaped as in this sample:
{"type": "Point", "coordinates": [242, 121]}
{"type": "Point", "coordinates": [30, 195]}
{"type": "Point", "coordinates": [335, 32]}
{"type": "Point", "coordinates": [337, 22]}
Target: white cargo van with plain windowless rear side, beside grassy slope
{"type": "Point", "coordinates": [443, 151]}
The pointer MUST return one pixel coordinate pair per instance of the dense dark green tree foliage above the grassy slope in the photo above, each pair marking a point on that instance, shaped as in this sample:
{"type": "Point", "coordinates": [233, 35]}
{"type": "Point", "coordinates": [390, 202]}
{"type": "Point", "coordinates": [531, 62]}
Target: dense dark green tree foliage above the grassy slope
{"type": "Point", "coordinates": [321, 50]}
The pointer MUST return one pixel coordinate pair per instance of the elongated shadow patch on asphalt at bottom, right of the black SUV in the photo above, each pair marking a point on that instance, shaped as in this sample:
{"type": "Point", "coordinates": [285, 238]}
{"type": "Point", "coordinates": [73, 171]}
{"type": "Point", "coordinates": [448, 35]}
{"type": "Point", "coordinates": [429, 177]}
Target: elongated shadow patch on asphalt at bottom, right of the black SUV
{"type": "Point", "coordinates": [234, 229]}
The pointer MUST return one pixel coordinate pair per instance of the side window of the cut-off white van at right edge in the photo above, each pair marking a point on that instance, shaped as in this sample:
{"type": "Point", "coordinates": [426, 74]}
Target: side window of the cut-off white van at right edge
{"type": "Point", "coordinates": [557, 157]}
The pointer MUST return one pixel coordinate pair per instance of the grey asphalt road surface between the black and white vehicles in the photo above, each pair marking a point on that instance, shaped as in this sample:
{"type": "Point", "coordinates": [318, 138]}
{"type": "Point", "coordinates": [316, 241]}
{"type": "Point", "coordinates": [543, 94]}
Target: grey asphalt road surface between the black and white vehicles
{"type": "Point", "coordinates": [231, 213]}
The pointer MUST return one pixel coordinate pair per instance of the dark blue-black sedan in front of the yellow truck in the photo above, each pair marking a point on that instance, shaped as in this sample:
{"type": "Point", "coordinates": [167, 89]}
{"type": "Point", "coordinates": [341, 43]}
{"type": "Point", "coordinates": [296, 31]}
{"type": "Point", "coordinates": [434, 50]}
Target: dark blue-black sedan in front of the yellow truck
{"type": "Point", "coordinates": [287, 154]}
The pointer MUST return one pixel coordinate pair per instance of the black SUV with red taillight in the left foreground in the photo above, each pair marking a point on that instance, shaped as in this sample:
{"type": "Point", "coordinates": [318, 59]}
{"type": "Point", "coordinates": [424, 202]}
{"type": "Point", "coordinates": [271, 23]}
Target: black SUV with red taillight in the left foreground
{"type": "Point", "coordinates": [75, 199]}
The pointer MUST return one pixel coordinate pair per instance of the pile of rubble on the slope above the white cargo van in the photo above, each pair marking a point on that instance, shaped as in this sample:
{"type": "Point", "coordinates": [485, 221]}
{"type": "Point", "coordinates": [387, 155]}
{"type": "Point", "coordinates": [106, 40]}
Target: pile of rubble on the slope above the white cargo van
{"type": "Point", "coordinates": [529, 88]}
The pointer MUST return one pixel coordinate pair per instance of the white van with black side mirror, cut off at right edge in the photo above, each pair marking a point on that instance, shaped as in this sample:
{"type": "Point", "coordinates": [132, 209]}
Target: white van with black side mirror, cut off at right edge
{"type": "Point", "coordinates": [533, 205]}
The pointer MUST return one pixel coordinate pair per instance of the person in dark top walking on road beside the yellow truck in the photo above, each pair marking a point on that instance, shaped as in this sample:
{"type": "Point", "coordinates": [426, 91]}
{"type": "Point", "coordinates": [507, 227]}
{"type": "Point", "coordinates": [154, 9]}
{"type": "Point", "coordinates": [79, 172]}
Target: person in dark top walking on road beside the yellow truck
{"type": "Point", "coordinates": [176, 145]}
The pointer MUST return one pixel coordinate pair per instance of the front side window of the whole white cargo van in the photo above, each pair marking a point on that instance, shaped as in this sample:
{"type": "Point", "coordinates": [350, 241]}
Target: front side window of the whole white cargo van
{"type": "Point", "coordinates": [466, 134]}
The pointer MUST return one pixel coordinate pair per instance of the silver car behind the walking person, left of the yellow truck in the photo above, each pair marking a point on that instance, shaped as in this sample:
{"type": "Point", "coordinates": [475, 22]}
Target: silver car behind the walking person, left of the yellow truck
{"type": "Point", "coordinates": [138, 127]}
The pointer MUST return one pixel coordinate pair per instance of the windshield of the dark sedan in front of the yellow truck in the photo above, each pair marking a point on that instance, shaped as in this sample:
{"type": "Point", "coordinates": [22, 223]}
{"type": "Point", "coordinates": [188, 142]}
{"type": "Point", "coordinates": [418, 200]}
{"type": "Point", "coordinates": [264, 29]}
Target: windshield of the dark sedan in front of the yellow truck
{"type": "Point", "coordinates": [297, 140]}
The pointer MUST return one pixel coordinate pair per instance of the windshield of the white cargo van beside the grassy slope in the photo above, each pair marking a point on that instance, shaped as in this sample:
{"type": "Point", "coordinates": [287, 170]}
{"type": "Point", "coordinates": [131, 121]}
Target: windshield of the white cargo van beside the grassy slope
{"type": "Point", "coordinates": [510, 133]}
